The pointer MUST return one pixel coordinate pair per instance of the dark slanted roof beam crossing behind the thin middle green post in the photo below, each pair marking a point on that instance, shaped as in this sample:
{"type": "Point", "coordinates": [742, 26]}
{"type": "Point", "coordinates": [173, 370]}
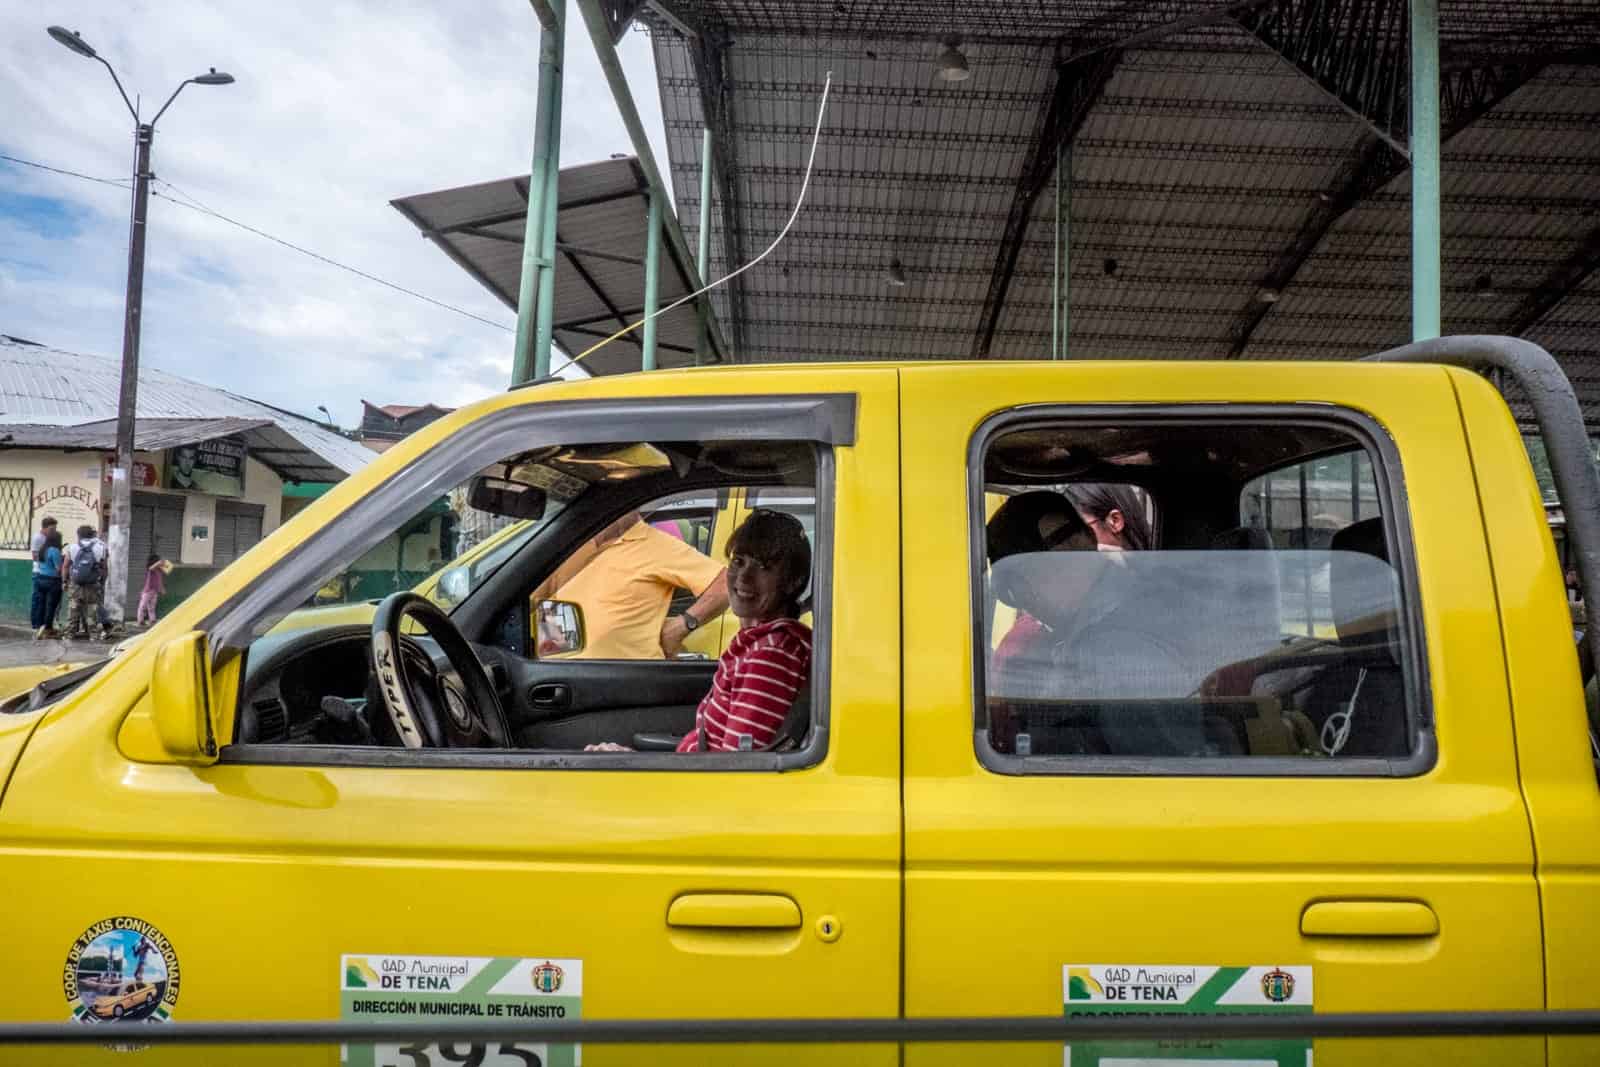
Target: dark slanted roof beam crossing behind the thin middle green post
{"type": "Point", "coordinates": [1079, 84]}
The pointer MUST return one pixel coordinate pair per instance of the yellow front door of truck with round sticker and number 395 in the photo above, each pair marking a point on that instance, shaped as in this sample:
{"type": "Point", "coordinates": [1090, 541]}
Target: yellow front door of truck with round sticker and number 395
{"type": "Point", "coordinates": [292, 889]}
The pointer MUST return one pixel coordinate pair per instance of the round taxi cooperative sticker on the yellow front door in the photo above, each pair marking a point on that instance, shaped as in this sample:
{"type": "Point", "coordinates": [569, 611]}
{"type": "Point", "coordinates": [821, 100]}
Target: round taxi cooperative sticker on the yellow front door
{"type": "Point", "coordinates": [121, 970]}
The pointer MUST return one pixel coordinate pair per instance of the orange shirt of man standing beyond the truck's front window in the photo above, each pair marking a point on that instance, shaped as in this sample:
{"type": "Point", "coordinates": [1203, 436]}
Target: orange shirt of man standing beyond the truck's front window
{"type": "Point", "coordinates": [623, 580]}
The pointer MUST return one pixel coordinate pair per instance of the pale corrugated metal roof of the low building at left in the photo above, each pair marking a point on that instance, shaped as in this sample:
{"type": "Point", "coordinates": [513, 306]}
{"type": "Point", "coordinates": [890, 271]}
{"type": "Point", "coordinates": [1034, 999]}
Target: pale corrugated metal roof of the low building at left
{"type": "Point", "coordinates": [54, 399]}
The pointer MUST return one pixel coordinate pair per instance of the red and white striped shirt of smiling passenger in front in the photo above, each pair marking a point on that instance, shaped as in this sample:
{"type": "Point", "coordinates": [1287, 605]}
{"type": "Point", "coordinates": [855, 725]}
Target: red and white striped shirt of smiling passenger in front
{"type": "Point", "coordinates": [756, 682]}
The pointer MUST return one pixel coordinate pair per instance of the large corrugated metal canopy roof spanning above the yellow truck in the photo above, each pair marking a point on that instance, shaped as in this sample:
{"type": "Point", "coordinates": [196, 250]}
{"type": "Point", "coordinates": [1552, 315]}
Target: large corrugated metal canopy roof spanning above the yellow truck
{"type": "Point", "coordinates": [1239, 185]}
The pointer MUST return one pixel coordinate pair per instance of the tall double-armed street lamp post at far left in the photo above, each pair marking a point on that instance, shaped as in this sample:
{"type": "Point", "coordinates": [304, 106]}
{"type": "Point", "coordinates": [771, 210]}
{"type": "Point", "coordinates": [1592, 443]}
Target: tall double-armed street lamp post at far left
{"type": "Point", "coordinates": [127, 396]}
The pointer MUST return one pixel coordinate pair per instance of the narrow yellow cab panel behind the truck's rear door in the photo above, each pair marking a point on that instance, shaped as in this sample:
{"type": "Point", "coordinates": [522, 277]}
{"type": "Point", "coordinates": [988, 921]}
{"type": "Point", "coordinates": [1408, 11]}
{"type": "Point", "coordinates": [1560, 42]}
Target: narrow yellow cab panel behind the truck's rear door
{"type": "Point", "coordinates": [1556, 746]}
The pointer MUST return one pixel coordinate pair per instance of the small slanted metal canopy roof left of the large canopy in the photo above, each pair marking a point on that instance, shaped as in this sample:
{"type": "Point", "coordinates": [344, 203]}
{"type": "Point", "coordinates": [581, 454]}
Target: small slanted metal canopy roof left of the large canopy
{"type": "Point", "coordinates": [601, 270]}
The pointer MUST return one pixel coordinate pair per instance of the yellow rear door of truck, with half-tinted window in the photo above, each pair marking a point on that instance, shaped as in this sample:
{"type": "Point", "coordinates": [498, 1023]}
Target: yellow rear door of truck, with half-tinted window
{"type": "Point", "coordinates": [1257, 871]}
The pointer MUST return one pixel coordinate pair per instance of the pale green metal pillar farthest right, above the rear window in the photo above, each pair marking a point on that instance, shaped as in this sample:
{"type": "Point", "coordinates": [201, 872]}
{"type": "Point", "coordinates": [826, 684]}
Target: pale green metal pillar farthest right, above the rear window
{"type": "Point", "coordinates": [1425, 172]}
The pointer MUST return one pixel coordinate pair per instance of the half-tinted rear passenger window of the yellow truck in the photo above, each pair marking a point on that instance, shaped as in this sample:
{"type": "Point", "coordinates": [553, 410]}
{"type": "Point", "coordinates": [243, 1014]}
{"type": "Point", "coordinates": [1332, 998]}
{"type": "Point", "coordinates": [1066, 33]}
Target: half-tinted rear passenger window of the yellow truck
{"type": "Point", "coordinates": [1214, 591]}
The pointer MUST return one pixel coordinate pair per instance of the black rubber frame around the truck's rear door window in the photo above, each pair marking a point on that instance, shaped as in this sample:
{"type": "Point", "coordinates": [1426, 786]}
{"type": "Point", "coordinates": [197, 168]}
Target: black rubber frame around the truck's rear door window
{"type": "Point", "coordinates": [1388, 476]}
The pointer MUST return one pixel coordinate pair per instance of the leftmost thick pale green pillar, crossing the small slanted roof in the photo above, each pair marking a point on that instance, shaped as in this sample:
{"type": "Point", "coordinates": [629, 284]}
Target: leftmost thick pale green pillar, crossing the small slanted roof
{"type": "Point", "coordinates": [537, 290]}
